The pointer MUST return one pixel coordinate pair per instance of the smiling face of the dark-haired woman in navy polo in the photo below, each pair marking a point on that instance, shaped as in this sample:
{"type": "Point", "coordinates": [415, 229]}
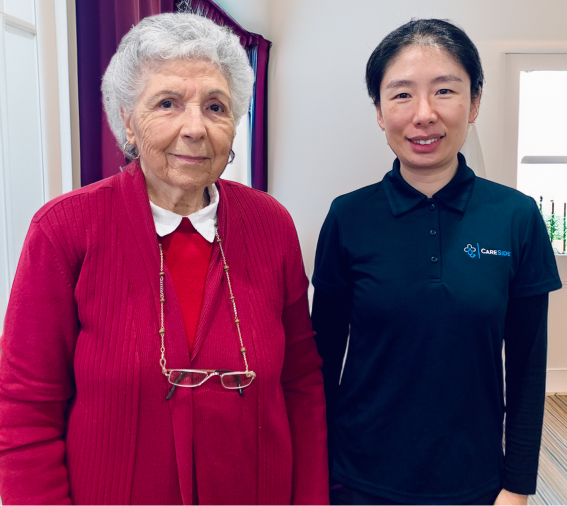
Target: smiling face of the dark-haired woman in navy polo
{"type": "Point", "coordinates": [425, 107]}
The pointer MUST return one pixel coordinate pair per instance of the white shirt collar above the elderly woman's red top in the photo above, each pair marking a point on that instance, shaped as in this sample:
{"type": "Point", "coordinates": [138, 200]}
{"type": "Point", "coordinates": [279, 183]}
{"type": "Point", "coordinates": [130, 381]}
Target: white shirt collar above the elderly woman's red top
{"type": "Point", "coordinates": [203, 220]}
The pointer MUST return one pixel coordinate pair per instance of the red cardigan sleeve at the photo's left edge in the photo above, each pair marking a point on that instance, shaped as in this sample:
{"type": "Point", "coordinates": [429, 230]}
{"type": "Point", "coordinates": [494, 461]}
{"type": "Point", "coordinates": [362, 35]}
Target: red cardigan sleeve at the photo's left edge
{"type": "Point", "coordinates": [36, 375]}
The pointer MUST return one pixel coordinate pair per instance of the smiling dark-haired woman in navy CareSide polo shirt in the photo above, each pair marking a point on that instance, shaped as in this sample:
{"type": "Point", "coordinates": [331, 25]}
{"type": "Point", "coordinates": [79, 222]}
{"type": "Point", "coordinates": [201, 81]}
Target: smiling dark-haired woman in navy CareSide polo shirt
{"type": "Point", "coordinates": [431, 270]}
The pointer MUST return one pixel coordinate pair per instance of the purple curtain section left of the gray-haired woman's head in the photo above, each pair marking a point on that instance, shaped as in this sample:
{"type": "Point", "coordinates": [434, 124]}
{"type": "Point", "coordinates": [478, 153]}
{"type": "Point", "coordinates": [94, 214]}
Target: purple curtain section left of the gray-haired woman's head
{"type": "Point", "coordinates": [101, 24]}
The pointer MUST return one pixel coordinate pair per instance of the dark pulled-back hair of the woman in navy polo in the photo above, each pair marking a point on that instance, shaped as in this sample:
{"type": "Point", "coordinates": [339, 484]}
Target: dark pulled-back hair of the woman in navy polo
{"type": "Point", "coordinates": [424, 32]}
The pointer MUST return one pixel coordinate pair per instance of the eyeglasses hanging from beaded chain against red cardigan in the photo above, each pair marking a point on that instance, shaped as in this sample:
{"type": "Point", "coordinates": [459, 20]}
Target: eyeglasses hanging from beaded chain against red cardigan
{"type": "Point", "coordinates": [231, 380]}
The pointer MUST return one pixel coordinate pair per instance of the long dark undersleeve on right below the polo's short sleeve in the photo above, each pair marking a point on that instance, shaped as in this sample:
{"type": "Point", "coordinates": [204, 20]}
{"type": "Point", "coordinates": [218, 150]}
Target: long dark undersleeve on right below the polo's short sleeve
{"type": "Point", "coordinates": [525, 336]}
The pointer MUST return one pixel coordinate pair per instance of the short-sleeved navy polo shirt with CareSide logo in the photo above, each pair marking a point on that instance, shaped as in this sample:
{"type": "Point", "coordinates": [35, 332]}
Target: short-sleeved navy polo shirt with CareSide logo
{"type": "Point", "coordinates": [420, 407]}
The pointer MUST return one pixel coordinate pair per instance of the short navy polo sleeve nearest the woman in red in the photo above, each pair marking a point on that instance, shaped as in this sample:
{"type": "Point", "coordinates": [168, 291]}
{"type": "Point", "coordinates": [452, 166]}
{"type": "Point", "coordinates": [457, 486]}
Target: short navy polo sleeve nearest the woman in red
{"type": "Point", "coordinates": [332, 273]}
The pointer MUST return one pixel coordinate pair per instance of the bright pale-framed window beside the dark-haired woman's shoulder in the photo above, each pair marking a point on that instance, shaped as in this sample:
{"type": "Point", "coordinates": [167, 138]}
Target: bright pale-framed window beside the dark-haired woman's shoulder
{"type": "Point", "coordinates": [538, 83]}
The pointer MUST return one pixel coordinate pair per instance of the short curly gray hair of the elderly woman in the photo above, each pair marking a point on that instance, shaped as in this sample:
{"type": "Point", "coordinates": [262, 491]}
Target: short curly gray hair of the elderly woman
{"type": "Point", "coordinates": [166, 37]}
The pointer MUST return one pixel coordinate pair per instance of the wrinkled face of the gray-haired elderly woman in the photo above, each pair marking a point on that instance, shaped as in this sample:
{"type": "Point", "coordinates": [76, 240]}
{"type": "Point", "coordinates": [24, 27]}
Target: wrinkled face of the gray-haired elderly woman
{"type": "Point", "coordinates": [182, 125]}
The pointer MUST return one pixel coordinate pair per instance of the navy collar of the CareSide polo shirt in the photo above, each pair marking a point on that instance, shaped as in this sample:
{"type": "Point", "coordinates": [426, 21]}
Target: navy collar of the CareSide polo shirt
{"type": "Point", "coordinates": [403, 197]}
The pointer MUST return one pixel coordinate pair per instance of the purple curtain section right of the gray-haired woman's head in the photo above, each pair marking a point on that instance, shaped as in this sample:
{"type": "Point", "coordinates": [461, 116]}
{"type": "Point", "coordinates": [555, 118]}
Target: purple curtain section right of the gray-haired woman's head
{"type": "Point", "coordinates": [258, 49]}
